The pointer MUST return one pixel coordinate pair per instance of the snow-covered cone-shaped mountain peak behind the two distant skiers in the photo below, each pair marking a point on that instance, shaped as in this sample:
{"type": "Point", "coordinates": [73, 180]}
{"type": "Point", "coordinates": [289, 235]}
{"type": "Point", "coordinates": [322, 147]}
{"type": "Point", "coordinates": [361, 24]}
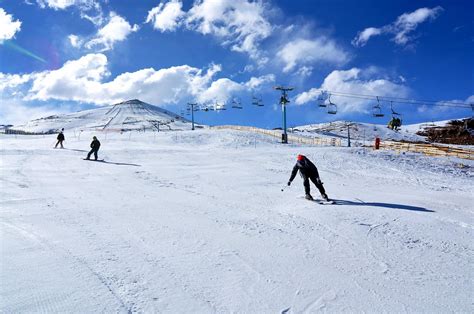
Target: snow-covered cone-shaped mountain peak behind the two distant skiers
{"type": "Point", "coordinates": [128, 115]}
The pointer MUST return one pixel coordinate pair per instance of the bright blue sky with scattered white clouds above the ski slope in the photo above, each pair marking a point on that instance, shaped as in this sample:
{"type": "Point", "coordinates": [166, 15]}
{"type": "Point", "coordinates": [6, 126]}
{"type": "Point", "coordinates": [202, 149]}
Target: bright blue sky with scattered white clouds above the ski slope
{"type": "Point", "coordinates": [61, 56]}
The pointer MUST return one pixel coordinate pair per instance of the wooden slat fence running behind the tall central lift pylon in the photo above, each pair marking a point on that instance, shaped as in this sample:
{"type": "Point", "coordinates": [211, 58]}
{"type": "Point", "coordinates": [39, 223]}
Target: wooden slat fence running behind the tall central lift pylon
{"type": "Point", "coordinates": [291, 138]}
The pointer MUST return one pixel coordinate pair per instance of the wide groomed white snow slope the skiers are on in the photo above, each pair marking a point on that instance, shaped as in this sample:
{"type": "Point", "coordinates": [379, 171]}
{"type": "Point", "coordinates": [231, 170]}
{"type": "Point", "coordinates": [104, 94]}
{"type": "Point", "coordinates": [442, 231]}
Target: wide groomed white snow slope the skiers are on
{"type": "Point", "coordinates": [196, 222]}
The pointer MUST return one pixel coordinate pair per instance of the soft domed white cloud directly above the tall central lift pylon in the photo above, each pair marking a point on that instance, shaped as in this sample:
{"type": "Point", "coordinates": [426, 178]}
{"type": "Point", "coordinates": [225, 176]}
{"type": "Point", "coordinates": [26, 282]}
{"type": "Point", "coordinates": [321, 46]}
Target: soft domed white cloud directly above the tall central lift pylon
{"type": "Point", "coordinates": [304, 51]}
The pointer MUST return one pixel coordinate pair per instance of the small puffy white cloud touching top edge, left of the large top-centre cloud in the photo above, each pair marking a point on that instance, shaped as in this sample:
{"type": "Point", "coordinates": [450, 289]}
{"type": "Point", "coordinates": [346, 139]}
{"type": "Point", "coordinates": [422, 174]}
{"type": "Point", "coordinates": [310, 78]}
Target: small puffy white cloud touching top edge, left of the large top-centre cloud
{"type": "Point", "coordinates": [166, 17]}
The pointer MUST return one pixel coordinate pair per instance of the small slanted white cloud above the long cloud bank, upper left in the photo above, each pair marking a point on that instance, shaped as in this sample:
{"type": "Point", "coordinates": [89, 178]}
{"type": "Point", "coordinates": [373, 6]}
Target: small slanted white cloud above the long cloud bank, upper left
{"type": "Point", "coordinates": [117, 29]}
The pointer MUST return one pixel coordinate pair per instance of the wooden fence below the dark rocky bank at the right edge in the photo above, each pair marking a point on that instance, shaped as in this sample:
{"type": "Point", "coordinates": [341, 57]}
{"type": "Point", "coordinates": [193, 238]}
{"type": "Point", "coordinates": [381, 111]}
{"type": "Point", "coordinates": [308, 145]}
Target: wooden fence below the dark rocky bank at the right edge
{"type": "Point", "coordinates": [428, 149]}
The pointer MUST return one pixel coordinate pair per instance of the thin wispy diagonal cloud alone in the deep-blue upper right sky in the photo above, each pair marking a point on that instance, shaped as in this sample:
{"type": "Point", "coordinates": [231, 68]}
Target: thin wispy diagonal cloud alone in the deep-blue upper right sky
{"type": "Point", "coordinates": [401, 28]}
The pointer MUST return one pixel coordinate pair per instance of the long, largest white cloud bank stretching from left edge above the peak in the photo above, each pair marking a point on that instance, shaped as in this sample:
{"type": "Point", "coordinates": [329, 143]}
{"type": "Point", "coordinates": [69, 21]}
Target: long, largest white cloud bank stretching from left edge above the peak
{"type": "Point", "coordinates": [85, 80]}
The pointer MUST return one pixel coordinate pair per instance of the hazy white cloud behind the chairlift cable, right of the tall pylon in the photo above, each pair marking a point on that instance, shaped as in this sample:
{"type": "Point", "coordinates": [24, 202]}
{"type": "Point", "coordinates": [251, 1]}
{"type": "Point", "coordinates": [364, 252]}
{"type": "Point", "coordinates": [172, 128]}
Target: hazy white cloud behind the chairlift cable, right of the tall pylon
{"type": "Point", "coordinates": [354, 81]}
